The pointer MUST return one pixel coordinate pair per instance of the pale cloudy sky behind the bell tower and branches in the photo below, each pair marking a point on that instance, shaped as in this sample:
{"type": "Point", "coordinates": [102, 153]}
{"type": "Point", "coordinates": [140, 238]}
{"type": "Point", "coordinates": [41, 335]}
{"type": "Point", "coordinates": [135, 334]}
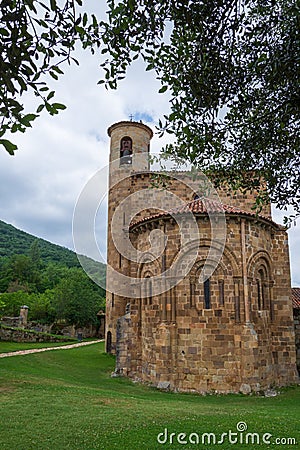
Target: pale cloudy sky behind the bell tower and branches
{"type": "Point", "coordinates": [56, 158]}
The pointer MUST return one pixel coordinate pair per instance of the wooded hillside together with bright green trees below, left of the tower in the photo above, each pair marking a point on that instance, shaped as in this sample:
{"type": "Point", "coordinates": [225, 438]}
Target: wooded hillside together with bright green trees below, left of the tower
{"type": "Point", "coordinates": [49, 287]}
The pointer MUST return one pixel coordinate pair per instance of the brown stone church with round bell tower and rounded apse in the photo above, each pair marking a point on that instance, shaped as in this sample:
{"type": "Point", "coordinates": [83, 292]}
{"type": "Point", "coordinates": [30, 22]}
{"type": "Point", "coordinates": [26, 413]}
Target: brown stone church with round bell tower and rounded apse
{"type": "Point", "coordinates": [198, 285]}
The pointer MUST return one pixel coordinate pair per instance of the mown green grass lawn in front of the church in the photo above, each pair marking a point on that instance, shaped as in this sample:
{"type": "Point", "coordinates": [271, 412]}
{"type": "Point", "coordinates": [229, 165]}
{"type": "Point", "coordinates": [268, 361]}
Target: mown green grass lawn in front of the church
{"type": "Point", "coordinates": [68, 400]}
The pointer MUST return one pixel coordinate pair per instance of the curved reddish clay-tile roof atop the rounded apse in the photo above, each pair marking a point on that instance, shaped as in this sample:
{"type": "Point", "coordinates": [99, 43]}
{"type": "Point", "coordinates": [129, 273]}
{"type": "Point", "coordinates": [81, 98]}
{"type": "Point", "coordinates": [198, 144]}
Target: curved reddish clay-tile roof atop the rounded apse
{"type": "Point", "coordinates": [203, 206]}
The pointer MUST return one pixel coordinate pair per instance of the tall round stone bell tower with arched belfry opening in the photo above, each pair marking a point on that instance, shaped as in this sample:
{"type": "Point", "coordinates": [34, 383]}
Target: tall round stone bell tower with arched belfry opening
{"type": "Point", "coordinates": [129, 154]}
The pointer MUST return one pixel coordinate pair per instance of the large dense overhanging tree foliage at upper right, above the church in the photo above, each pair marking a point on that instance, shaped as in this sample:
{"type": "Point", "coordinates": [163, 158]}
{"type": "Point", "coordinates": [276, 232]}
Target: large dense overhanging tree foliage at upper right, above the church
{"type": "Point", "coordinates": [232, 70]}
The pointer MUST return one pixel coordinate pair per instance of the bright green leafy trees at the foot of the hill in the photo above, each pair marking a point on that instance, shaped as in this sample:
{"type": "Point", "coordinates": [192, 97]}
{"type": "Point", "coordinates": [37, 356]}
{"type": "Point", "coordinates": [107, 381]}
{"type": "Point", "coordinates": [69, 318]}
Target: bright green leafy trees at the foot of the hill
{"type": "Point", "coordinates": [59, 293]}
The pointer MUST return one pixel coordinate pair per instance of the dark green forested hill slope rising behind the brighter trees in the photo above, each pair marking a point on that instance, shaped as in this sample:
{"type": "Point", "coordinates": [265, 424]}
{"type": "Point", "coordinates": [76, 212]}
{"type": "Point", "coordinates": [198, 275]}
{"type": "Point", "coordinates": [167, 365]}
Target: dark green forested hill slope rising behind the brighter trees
{"type": "Point", "coordinates": [14, 241]}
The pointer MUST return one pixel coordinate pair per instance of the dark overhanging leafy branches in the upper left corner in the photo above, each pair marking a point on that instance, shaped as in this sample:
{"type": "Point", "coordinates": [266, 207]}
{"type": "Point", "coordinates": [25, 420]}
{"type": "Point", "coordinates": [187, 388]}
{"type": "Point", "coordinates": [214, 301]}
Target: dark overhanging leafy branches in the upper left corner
{"type": "Point", "coordinates": [37, 37]}
